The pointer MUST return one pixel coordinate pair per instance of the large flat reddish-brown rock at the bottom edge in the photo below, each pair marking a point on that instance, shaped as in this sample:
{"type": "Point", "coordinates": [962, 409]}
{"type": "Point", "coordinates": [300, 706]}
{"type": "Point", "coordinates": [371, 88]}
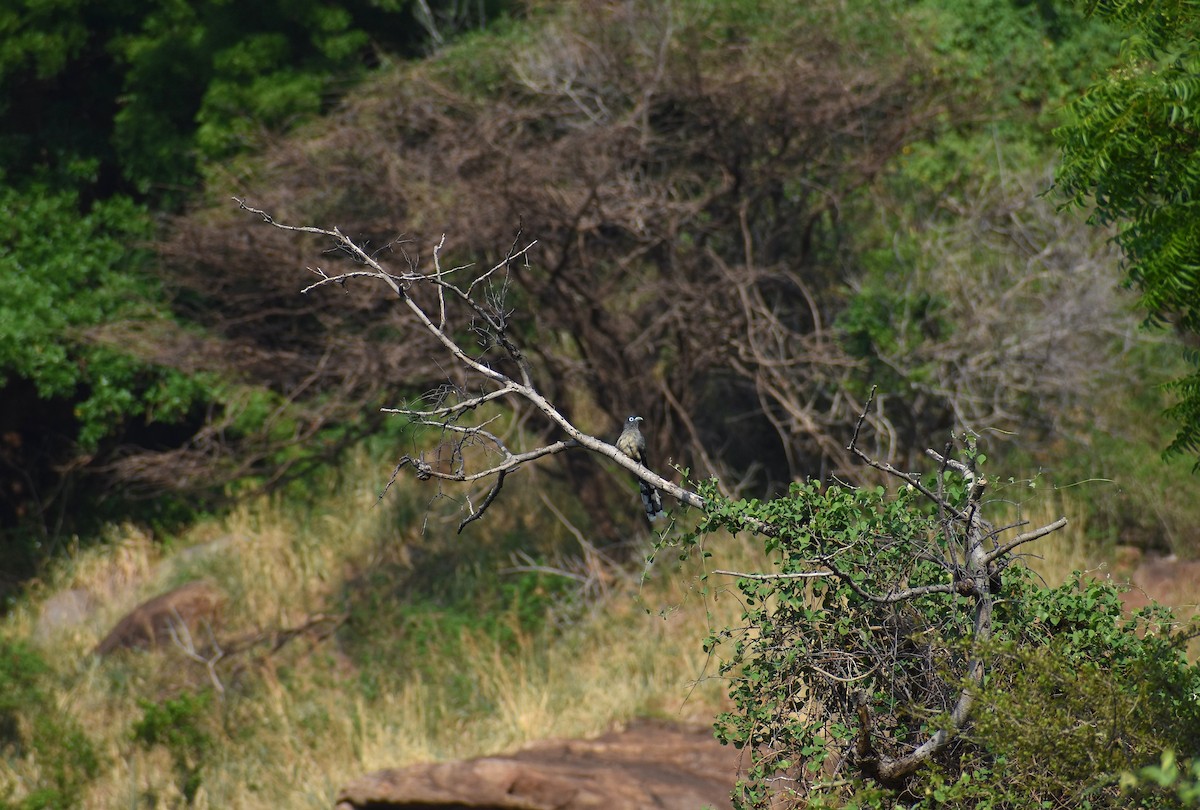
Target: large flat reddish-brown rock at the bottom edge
{"type": "Point", "coordinates": [645, 767]}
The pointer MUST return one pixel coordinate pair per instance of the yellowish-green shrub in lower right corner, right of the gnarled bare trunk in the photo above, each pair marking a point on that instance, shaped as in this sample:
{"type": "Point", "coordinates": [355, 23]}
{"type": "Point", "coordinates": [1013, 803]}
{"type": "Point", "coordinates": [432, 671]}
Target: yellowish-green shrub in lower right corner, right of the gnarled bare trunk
{"type": "Point", "coordinates": [1082, 693]}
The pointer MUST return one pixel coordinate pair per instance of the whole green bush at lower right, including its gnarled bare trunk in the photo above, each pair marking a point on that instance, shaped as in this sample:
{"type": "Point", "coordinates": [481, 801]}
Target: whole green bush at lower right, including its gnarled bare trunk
{"type": "Point", "coordinates": [899, 653]}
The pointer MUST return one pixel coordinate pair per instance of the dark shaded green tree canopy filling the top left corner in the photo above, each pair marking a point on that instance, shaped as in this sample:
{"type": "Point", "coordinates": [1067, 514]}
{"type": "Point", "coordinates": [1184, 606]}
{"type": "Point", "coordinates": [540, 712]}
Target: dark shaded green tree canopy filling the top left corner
{"type": "Point", "coordinates": [128, 95]}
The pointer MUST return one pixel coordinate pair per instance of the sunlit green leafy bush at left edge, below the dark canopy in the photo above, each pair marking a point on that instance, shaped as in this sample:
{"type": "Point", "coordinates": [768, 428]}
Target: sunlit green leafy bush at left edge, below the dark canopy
{"type": "Point", "coordinates": [70, 273]}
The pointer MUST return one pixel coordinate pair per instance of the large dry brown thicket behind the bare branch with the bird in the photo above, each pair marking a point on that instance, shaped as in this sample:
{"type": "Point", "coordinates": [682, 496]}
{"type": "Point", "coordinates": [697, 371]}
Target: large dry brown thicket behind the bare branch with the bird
{"type": "Point", "coordinates": [686, 199]}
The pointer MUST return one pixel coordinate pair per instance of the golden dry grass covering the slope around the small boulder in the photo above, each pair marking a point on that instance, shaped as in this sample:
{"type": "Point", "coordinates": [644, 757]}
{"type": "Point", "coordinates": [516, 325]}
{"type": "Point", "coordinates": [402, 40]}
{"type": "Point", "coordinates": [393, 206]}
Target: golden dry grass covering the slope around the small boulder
{"type": "Point", "coordinates": [296, 725]}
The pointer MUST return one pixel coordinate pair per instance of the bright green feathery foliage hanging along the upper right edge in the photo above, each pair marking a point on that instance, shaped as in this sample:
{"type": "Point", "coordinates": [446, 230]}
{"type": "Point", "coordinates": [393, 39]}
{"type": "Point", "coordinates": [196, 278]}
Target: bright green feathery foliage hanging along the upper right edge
{"type": "Point", "coordinates": [1131, 154]}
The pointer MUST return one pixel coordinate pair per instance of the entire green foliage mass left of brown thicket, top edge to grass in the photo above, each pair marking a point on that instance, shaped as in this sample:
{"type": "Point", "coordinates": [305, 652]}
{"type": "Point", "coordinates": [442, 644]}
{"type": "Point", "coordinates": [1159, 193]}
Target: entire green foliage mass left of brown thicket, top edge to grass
{"type": "Point", "coordinates": [110, 116]}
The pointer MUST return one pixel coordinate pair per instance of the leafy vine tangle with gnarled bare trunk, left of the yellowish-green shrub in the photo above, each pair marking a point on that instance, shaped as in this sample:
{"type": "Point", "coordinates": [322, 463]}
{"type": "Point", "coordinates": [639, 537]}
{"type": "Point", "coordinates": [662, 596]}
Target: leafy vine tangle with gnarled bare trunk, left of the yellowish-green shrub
{"type": "Point", "coordinates": [867, 647]}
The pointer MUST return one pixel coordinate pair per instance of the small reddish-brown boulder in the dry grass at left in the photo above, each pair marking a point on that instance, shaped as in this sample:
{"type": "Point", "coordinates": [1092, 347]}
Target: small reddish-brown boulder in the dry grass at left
{"type": "Point", "coordinates": [194, 605]}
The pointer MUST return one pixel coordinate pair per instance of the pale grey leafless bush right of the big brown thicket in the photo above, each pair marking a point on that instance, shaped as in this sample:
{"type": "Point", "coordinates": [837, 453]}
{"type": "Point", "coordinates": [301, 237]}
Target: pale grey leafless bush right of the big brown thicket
{"type": "Point", "coordinates": [1035, 320]}
